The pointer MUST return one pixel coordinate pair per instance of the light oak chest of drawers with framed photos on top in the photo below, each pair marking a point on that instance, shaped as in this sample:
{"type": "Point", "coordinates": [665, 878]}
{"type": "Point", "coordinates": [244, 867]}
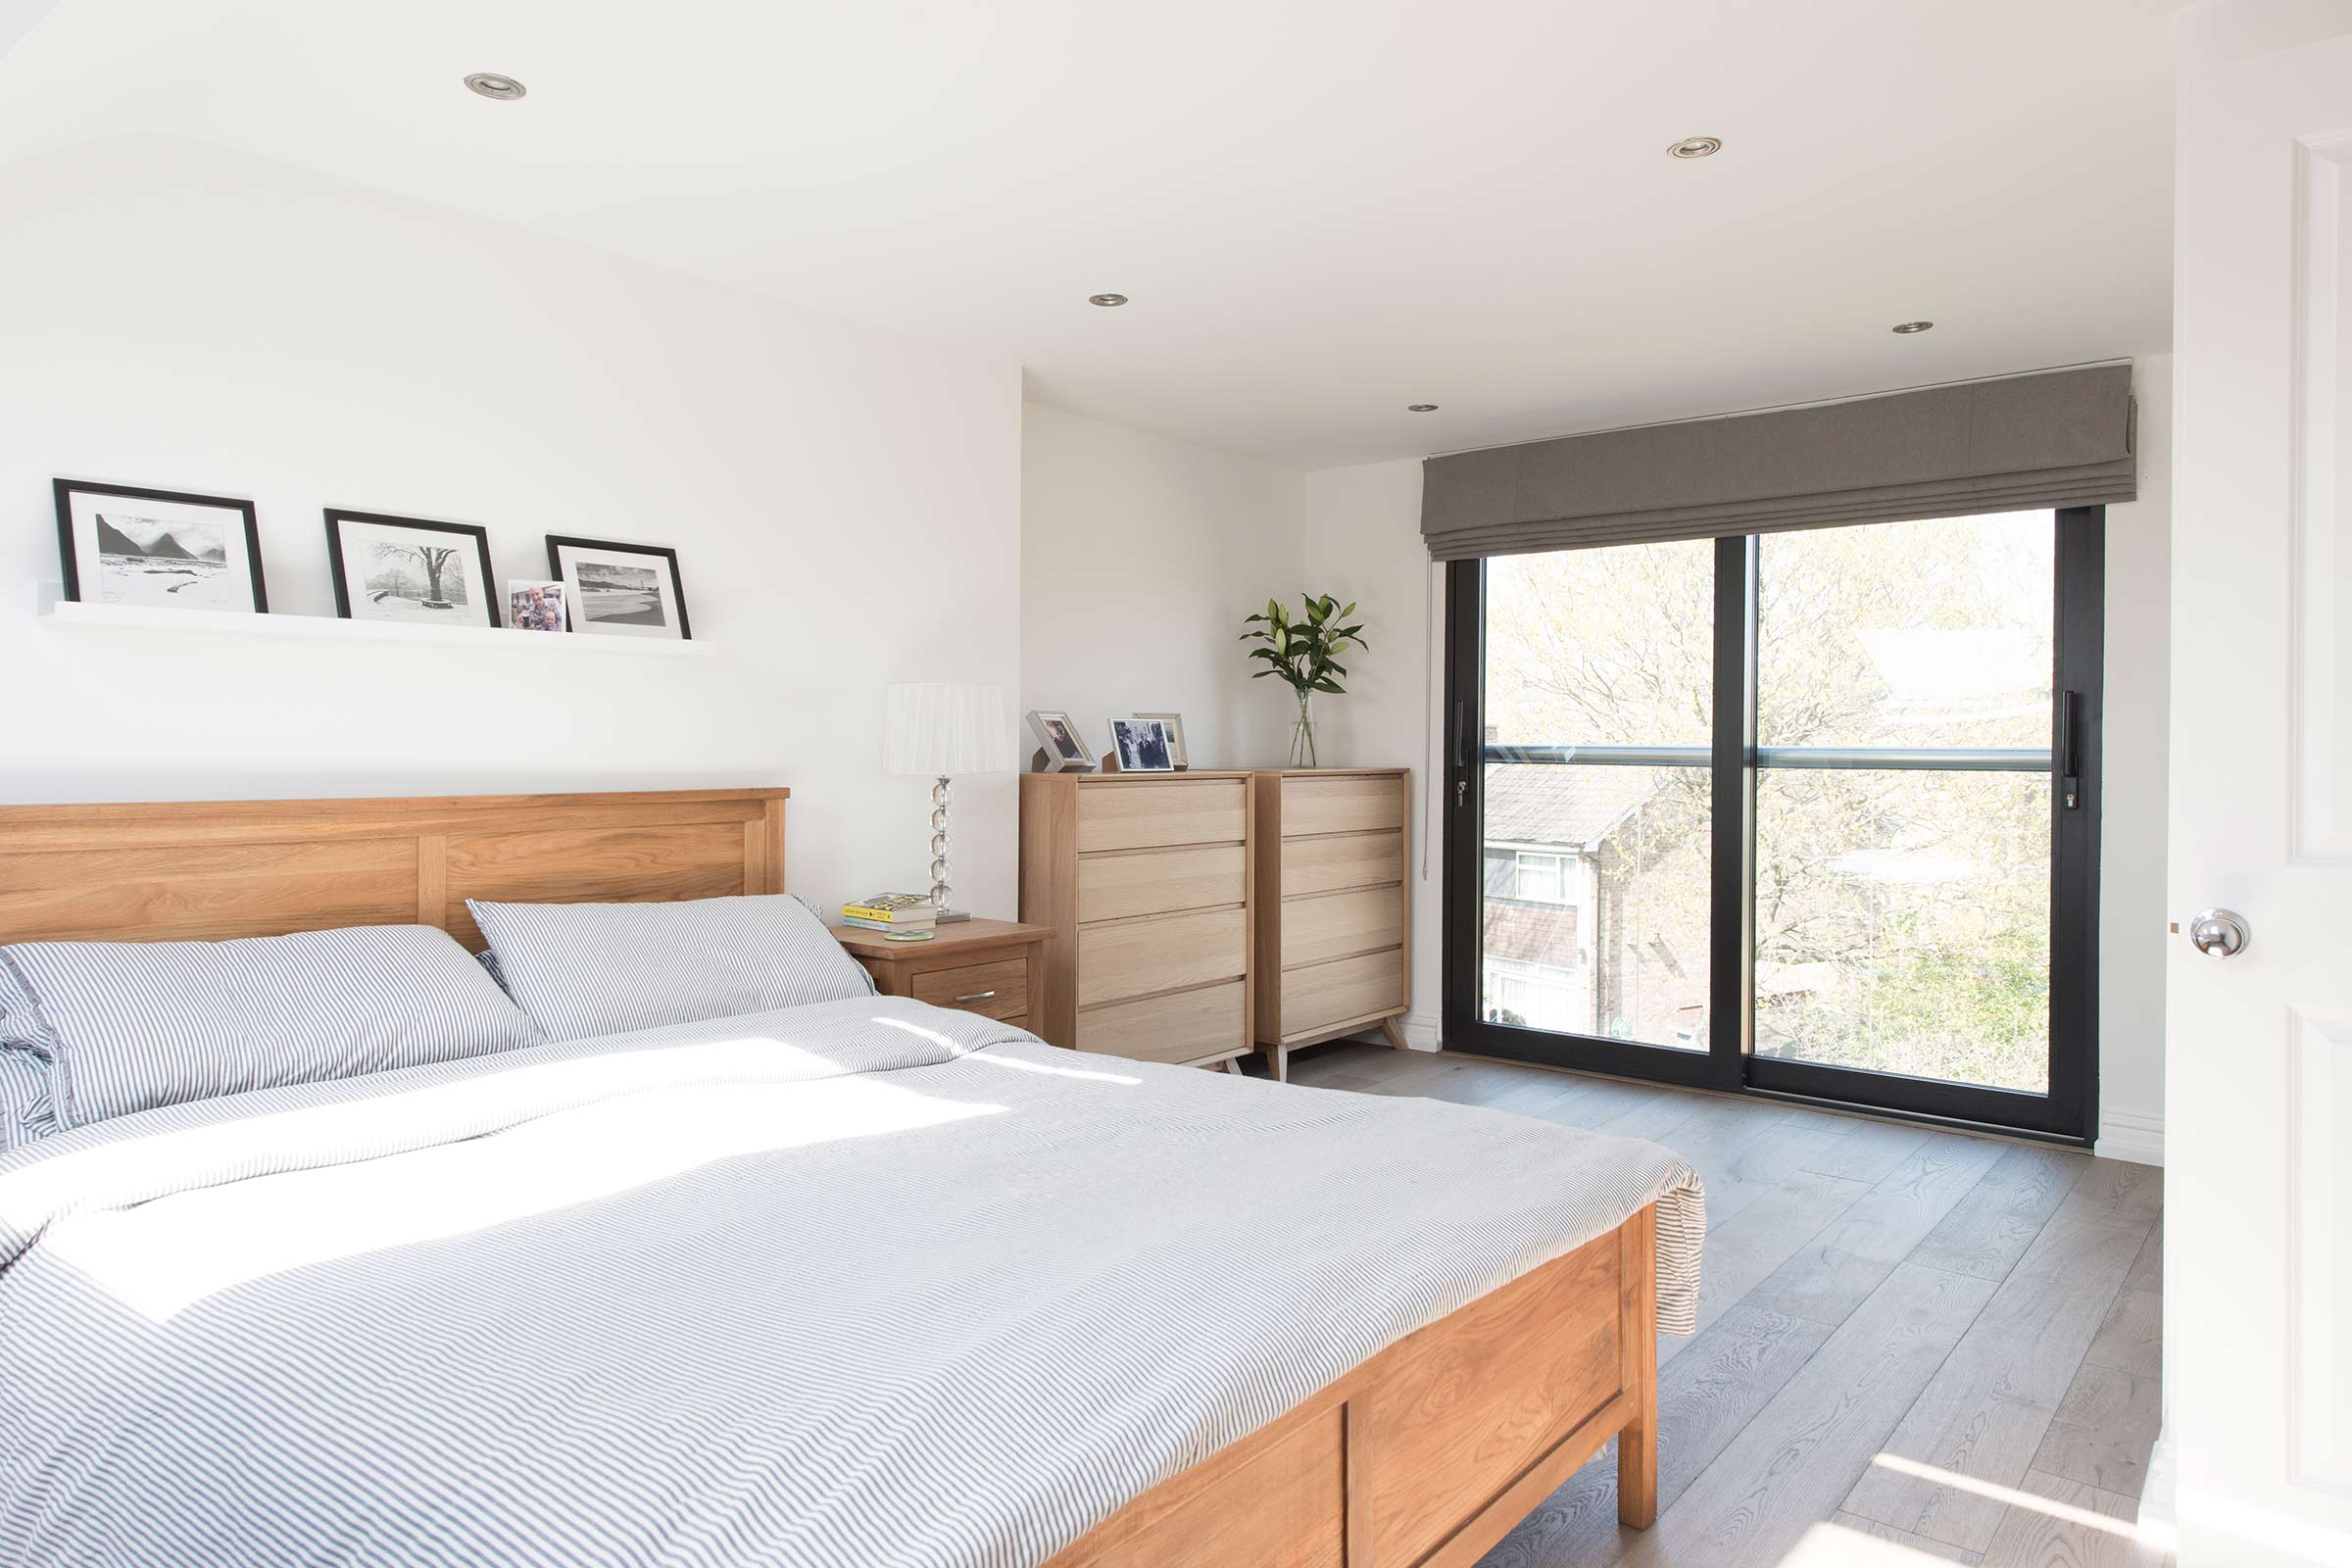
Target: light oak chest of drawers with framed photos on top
{"type": "Point", "coordinates": [1147, 887]}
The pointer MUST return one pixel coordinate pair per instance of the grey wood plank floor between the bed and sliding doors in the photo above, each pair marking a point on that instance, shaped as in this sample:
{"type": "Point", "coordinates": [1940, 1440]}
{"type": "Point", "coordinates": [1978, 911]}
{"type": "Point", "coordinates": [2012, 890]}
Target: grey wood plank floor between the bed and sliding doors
{"type": "Point", "coordinates": [1913, 1346]}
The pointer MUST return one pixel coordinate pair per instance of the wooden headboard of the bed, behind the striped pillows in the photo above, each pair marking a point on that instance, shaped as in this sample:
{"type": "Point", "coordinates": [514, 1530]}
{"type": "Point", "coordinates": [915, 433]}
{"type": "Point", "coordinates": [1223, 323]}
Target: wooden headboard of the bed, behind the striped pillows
{"type": "Point", "coordinates": [272, 866]}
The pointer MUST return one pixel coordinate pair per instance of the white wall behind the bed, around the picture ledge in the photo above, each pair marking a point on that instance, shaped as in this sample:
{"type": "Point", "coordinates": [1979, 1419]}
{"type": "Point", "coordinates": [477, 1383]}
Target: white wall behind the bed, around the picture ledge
{"type": "Point", "coordinates": [189, 319]}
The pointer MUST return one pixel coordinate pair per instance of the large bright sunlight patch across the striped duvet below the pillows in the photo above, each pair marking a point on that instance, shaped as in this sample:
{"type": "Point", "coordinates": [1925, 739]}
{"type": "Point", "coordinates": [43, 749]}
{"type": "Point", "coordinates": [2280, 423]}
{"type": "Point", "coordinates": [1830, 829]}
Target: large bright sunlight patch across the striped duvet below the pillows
{"type": "Point", "coordinates": [166, 1257]}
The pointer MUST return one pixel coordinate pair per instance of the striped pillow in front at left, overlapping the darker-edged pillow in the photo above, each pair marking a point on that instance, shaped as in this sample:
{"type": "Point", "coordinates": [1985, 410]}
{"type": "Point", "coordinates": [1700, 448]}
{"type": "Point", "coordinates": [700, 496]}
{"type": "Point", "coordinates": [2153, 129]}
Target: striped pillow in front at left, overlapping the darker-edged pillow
{"type": "Point", "coordinates": [163, 1024]}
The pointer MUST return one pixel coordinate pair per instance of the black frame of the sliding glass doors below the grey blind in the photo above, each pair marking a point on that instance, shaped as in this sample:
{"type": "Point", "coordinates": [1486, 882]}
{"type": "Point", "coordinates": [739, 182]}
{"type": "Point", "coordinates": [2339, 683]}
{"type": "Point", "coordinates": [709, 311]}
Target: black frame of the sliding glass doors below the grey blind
{"type": "Point", "coordinates": [2069, 1113]}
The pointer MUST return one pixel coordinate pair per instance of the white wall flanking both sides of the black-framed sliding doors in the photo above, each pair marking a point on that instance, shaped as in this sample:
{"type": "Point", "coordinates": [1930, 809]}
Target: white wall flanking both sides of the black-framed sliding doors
{"type": "Point", "coordinates": [1365, 542]}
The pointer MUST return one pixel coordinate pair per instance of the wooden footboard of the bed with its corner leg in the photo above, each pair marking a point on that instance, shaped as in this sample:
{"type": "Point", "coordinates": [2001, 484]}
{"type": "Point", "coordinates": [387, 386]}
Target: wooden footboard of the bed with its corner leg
{"type": "Point", "coordinates": [1429, 1454]}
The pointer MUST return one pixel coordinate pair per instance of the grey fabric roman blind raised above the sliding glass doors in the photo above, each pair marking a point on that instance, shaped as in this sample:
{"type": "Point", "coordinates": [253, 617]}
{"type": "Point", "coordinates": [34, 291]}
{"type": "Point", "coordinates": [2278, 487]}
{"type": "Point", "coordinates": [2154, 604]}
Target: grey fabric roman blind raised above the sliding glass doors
{"type": "Point", "coordinates": [2054, 438]}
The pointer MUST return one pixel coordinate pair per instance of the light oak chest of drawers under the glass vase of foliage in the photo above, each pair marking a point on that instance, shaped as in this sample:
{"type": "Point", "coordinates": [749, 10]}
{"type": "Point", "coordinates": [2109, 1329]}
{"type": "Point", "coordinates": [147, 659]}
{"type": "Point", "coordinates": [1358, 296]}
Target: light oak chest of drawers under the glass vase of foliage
{"type": "Point", "coordinates": [1335, 906]}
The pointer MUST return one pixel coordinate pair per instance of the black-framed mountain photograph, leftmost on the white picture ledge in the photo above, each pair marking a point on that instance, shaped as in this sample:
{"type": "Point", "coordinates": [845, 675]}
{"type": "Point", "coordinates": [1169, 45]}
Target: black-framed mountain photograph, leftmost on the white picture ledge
{"type": "Point", "coordinates": [159, 549]}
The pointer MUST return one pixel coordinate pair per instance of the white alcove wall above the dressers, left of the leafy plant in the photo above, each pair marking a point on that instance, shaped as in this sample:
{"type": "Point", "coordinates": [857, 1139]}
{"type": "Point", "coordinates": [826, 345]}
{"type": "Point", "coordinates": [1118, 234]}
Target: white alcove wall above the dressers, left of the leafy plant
{"type": "Point", "coordinates": [1140, 558]}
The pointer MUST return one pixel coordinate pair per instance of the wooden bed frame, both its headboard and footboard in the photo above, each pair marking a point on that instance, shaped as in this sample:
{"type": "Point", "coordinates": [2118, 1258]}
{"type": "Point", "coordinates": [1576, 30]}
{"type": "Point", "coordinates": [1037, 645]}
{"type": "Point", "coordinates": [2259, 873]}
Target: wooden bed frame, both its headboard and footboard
{"type": "Point", "coordinates": [1419, 1459]}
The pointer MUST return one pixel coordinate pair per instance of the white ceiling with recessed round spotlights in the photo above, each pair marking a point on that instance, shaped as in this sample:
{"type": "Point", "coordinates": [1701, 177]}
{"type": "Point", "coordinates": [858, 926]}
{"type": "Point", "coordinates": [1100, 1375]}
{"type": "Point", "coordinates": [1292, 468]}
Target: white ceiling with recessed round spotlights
{"type": "Point", "coordinates": [1325, 210]}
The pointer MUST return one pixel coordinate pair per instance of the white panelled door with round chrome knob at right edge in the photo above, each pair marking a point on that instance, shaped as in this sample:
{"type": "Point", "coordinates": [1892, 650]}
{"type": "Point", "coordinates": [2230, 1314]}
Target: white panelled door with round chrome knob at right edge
{"type": "Point", "coordinates": [2259, 1066]}
